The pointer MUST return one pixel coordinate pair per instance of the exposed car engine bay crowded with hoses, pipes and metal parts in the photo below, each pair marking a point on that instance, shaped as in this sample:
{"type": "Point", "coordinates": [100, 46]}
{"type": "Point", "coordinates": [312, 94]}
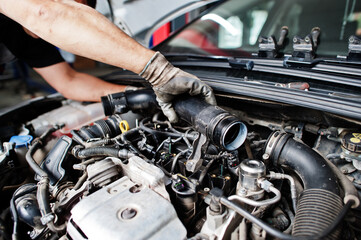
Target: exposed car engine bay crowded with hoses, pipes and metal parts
{"type": "Point", "coordinates": [228, 172]}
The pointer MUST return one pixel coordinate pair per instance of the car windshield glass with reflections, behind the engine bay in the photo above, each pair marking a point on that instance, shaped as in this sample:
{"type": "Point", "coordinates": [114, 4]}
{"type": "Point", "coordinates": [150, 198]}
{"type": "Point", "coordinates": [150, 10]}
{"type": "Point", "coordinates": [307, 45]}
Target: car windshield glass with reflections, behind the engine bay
{"type": "Point", "coordinates": [233, 28]}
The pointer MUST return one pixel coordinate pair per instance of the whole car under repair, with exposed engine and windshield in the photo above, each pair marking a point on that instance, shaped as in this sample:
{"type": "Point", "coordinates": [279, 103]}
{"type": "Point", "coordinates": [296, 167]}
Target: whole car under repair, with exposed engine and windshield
{"type": "Point", "coordinates": [278, 158]}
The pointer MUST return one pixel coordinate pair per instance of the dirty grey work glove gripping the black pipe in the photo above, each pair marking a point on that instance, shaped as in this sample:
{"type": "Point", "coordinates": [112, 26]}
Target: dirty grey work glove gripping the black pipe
{"type": "Point", "coordinates": [168, 81]}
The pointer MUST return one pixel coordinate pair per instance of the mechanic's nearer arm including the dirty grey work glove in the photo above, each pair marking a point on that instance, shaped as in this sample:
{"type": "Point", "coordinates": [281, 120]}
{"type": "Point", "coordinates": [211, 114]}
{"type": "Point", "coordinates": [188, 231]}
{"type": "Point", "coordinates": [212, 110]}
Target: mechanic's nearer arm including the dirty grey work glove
{"type": "Point", "coordinates": [83, 31]}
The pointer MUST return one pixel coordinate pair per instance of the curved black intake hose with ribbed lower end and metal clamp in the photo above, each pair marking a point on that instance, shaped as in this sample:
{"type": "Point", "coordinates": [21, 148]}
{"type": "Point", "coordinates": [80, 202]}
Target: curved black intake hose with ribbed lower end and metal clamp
{"type": "Point", "coordinates": [319, 203]}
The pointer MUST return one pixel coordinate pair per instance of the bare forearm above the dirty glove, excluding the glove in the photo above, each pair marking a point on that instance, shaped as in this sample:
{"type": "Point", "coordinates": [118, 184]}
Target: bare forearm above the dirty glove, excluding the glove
{"type": "Point", "coordinates": [78, 29]}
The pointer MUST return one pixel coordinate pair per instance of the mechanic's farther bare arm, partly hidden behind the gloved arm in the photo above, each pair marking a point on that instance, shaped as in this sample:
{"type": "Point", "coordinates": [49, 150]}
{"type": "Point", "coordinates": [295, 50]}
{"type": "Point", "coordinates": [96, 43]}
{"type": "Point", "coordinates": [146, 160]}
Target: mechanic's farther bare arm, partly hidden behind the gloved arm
{"type": "Point", "coordinates": [76, 85]}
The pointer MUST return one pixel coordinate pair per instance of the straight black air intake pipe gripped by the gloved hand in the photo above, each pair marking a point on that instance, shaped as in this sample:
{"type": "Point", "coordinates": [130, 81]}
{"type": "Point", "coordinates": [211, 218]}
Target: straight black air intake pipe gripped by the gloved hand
{"type": "Point", "coordinates": [224, 129]}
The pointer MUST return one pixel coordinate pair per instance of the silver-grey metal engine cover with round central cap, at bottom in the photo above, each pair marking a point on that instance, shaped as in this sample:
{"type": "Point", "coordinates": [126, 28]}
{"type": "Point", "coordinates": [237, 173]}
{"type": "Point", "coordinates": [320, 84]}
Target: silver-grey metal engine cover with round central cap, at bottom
{"type": "Point", "coordinates": [122, 210]}
